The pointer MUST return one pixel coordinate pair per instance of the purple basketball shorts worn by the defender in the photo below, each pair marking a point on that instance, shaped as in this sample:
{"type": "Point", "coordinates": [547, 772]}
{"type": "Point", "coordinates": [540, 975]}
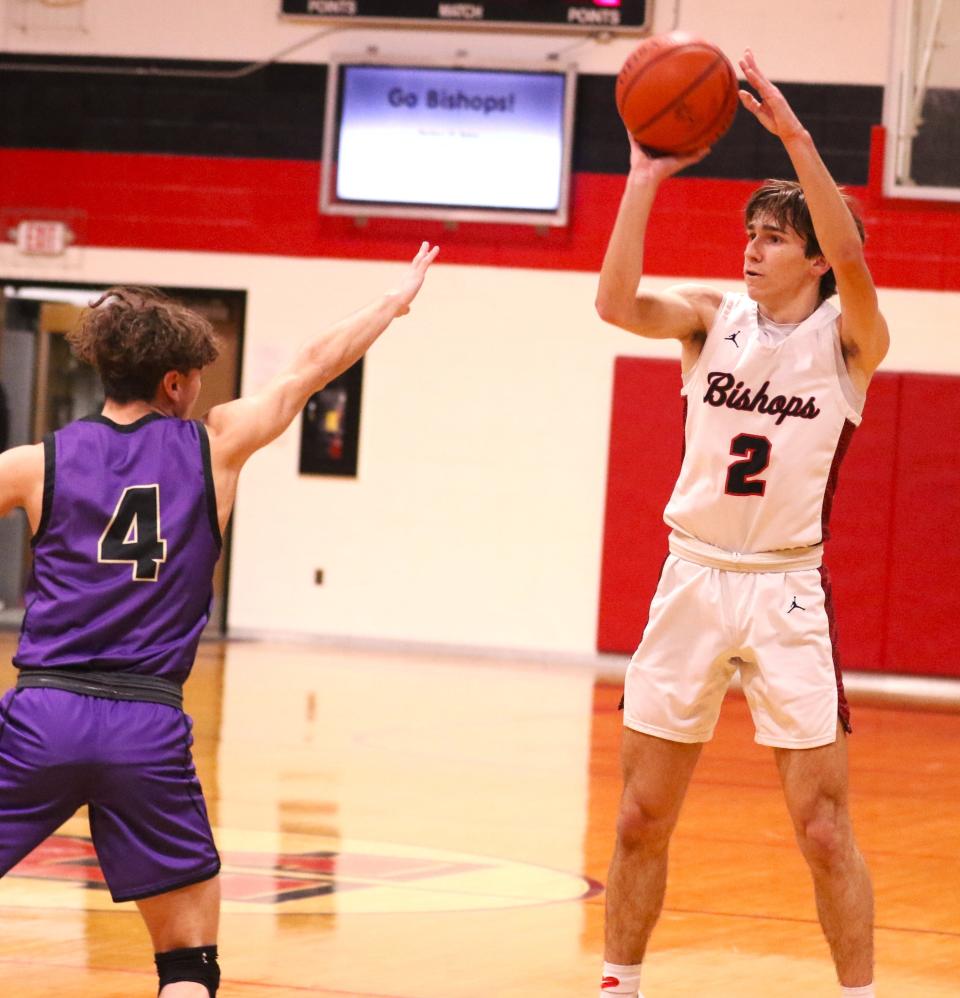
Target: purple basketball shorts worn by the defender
{"type": "Point", "coordinates": [130, 762]}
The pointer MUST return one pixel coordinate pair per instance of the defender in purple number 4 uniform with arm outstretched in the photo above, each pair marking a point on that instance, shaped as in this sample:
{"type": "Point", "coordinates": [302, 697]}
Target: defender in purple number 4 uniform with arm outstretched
{"type": "Point", "coordinates": [127, 509]}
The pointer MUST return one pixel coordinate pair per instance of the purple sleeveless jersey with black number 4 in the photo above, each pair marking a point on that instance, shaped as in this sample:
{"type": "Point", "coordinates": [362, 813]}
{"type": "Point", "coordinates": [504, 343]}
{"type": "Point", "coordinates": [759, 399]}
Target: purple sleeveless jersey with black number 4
{"type": "Point", "coordinates": [124, 555]}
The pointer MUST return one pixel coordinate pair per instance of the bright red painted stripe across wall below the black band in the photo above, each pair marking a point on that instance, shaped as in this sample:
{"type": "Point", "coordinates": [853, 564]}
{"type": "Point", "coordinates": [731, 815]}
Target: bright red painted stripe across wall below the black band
{"type": "Point", "coordinates": [270, 207]}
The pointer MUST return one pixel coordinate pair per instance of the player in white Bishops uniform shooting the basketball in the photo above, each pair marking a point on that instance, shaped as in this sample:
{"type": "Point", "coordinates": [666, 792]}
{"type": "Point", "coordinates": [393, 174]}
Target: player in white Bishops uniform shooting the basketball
{"type": "Point", "coordinates": [774, 381]}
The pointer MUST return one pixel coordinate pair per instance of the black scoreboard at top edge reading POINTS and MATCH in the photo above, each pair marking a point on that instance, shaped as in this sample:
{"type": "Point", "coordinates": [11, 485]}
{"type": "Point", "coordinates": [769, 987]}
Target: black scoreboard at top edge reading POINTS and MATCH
{"type": "Point", "coordinates": [583, 16]}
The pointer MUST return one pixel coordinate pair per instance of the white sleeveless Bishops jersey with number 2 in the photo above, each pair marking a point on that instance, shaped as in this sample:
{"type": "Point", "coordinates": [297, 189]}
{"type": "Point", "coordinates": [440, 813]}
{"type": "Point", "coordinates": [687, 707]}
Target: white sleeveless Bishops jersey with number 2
{"type": "Point", "coordinates": [767, 420]}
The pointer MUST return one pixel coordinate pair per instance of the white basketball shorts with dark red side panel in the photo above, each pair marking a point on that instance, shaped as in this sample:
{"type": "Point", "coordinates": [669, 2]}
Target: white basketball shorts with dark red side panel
{"type": "Point", "coordinates": [705, 624]}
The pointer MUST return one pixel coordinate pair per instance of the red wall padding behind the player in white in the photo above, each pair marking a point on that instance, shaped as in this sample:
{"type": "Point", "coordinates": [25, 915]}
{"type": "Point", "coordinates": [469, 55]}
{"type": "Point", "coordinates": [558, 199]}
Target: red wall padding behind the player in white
{"type": "Point", "coordinates": [894, 553]}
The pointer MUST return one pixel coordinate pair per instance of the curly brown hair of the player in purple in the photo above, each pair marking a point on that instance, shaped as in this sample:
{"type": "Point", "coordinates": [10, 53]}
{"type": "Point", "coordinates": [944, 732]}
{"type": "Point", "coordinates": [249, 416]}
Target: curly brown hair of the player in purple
{"type": "Point", "coordinates": [133, 336]}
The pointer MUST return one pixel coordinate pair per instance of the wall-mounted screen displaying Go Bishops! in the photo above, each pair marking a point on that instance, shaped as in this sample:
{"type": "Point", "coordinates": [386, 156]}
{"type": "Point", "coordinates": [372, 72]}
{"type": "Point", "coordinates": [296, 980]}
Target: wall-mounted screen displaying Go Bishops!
{"type": "Point", "coordinates": [452, 142]}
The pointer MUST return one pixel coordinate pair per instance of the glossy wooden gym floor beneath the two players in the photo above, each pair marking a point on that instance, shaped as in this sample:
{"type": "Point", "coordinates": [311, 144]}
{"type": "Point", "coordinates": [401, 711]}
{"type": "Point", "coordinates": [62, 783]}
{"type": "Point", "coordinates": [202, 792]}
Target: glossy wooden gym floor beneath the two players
{"type": "Point", "coordinates": [399, 825]}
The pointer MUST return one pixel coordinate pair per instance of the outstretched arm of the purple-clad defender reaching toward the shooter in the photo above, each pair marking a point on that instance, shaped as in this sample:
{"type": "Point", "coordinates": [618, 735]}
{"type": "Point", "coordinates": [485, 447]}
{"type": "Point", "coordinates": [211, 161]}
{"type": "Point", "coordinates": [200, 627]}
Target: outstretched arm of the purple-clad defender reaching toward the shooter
{"type": "Point", "coordinates": [239, 428]}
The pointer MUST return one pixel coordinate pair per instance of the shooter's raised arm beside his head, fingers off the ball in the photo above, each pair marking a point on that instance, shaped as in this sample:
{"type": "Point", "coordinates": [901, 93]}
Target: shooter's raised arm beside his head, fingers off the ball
{"type": "Point", "coordinates": [863, 330]}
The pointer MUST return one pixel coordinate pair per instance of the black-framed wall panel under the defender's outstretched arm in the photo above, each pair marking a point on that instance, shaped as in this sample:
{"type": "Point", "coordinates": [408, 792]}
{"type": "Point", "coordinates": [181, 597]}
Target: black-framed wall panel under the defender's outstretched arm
{"type": "Point", "coordinates": [330, 428]}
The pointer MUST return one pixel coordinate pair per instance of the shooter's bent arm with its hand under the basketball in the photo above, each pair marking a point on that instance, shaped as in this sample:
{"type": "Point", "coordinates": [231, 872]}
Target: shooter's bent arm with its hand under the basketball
{"type": "Point", "coordinates": [682, 312]}
